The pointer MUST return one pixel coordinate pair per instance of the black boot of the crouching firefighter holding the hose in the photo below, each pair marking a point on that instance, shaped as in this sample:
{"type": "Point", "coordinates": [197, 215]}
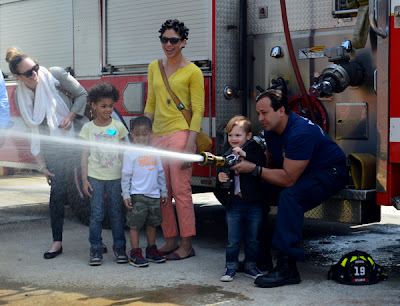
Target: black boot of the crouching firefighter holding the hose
{"type": "Point", "coordinates": [285, 273]}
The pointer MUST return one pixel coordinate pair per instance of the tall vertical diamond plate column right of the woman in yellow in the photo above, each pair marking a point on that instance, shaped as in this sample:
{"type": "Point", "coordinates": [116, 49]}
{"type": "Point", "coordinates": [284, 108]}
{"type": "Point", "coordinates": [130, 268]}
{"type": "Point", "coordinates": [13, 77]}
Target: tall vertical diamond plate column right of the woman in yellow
{"type": "Point", "coordinates": [226, 63]}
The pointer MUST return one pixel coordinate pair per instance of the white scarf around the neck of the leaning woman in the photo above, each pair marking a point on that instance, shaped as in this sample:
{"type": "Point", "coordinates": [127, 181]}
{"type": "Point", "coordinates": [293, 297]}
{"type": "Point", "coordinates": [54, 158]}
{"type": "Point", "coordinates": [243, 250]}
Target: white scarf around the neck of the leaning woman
{"type": "Point", "coordinates": [45, 103]}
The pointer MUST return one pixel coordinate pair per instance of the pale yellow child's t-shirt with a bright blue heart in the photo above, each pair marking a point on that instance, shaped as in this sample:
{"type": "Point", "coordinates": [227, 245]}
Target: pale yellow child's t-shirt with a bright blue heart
{"type": "Point", "coordinates": [104, 162]}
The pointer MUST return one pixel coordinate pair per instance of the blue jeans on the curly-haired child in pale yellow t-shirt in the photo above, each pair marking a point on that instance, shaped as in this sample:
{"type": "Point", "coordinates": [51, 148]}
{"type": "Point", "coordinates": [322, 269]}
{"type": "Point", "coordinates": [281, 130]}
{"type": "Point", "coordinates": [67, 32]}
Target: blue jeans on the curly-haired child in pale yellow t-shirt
{"type": "Point", "coordinates": [114, 199]}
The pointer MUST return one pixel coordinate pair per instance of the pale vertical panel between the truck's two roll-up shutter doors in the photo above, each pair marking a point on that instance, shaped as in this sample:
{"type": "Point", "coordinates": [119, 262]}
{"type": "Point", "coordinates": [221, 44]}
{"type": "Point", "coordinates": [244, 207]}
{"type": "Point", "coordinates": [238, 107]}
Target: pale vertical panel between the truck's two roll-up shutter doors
{"type": "Point", "coordinates": [87, 38]}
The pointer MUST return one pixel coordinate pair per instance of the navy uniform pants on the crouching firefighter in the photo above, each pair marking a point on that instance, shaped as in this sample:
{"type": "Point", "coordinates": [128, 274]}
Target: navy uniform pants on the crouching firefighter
{"type": "Point", "coordinates": [311, 189]}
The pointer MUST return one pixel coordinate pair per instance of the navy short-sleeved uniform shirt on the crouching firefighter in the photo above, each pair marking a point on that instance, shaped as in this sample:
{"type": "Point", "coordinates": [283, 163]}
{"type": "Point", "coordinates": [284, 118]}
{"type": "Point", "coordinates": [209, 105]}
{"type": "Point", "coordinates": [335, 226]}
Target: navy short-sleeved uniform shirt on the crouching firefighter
{"type": "Point", "coordinates": [303, 140]}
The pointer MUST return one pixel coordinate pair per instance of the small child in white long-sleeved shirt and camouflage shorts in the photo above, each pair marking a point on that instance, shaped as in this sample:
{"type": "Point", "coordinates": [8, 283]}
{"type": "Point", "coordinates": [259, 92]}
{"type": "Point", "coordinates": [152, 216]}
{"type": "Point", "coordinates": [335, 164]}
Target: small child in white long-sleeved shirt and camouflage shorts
{"type": "Point", "coordinates": [144, 191]}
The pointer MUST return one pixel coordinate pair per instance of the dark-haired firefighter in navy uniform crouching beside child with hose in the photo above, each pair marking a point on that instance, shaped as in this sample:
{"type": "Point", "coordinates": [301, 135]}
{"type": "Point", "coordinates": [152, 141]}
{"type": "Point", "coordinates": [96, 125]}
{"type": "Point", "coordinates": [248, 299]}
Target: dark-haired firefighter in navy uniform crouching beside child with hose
{"type": "Point", "coordinates": [307, 166]}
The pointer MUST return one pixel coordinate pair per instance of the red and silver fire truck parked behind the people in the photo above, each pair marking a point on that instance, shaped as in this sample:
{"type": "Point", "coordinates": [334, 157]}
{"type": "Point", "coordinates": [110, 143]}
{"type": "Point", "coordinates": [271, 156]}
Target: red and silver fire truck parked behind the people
{"type": "Point", "coordinates": [335, 59]}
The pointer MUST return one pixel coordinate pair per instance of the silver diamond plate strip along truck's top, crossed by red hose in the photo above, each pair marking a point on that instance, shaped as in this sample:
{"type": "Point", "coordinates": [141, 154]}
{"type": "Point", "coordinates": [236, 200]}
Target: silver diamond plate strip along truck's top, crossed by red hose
{"type": "Point", "coordinates": [302, 15]}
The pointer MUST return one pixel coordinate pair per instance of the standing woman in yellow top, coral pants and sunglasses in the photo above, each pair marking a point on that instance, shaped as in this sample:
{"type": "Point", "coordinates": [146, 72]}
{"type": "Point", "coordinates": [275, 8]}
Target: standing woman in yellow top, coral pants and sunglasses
{"type": "Point", "coordinates": [172, 132]}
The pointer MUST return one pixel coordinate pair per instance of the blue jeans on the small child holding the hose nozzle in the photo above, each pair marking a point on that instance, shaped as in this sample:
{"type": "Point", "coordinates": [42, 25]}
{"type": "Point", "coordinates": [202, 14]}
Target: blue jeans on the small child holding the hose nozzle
{"type": "Point", "coordinates": [243, 220]}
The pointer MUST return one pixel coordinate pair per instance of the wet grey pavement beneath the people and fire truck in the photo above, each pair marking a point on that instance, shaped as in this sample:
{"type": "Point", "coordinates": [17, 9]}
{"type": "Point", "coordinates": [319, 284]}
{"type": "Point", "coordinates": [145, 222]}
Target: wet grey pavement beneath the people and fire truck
{"type": "Point", "coordinates": [26, 278]}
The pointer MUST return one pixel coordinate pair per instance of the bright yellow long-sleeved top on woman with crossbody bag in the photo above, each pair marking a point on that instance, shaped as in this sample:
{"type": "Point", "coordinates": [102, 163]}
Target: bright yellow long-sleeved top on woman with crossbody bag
{"type": "Point", "coordinates": [188, 85]}
